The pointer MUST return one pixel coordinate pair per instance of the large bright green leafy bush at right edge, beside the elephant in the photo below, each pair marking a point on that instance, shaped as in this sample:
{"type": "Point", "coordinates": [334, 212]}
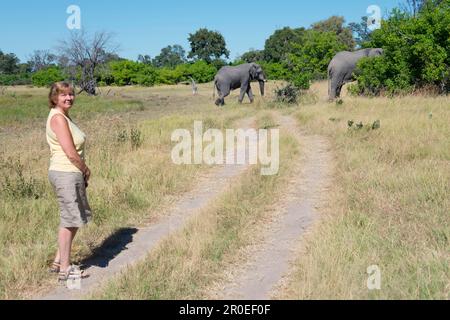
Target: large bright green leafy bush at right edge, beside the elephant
{"type": "Point", "coordinates": [417, 53]}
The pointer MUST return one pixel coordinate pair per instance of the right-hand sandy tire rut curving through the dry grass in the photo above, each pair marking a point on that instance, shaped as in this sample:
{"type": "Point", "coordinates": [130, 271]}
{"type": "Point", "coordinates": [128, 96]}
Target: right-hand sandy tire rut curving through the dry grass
{"type": "Point", "coordinates": [266, 264]}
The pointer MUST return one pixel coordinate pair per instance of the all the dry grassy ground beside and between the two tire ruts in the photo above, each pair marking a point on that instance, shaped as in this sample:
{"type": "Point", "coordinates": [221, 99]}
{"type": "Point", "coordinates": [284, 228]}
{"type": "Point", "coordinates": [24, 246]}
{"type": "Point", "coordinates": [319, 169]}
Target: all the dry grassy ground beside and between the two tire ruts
{"type": "Point", "coordinates": [388, 206]}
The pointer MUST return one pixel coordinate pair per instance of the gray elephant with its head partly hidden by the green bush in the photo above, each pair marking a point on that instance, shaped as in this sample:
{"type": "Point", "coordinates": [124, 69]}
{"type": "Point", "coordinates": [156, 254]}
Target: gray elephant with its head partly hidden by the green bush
{"type": "Point", "coordinates": [341, 68]}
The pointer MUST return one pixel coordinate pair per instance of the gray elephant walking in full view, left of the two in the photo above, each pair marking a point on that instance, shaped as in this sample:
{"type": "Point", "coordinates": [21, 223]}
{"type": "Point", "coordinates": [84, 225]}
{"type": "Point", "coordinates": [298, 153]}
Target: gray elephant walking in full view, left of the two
{"type": "Point", "coordinates": [231, 78]}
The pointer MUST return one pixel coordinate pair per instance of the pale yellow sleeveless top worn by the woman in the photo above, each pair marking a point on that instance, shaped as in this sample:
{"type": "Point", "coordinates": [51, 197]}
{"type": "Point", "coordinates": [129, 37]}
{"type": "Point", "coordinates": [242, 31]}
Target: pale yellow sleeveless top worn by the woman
{"type": "Point", "coordinates": [59, 160]}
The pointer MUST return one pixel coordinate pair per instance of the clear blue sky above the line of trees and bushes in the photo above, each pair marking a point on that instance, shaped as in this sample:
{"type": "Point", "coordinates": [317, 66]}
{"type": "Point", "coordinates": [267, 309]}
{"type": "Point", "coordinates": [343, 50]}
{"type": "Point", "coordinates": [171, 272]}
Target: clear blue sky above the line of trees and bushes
{"type": "Point", "coordinates": [147, 26]}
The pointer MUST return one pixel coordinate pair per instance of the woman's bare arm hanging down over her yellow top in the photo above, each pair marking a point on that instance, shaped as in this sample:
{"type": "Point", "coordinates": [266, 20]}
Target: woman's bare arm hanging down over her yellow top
{"type": "Point", "coordinates": [60, 127]}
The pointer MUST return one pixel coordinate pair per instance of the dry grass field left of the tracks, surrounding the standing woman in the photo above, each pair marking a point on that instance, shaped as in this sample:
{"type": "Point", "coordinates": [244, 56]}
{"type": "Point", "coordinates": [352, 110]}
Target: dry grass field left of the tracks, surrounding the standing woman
{"type": "Point", "coordinates": [133, 178]}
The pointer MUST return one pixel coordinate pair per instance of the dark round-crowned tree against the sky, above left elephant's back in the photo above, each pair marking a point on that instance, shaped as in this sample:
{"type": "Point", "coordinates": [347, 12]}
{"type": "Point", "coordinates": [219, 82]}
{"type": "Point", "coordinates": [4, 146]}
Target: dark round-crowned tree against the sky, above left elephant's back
{"type": "Point", "coordinates": [207, 45]}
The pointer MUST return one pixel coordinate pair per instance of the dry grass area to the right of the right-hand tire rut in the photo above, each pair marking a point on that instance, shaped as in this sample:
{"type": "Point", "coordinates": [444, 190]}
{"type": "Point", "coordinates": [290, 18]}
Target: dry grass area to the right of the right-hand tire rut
{"type": "Point", "coordinates": [390, 205]}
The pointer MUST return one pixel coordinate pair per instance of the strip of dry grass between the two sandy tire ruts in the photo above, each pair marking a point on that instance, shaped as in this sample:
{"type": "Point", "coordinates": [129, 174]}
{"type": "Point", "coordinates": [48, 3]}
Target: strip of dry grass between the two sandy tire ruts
{"type": "Point", "coordinates": [186, 263]}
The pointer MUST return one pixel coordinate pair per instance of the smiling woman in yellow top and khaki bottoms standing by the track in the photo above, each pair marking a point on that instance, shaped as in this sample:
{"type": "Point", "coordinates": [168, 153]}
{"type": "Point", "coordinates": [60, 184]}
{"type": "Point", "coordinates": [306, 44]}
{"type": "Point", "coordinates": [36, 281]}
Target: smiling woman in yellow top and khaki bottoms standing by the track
{"type": "Point", "coordinates": [68, 174]}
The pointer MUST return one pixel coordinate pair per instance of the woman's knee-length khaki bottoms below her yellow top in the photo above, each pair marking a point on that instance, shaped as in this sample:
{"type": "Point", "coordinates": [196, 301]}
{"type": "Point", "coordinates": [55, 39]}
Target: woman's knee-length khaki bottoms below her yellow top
{"type": "Point", "coordinates": [70, 190]}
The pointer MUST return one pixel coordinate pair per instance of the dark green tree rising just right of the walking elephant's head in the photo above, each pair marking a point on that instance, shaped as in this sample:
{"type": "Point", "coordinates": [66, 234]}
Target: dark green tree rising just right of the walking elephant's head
{"type": "Point", "coordinates": [279, 45]}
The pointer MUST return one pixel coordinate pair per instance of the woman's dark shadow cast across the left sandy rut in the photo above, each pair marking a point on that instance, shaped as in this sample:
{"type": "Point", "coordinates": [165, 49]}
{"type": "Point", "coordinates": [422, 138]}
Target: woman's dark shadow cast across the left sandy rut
{"type": "Point", "coordinates": [110, 248]}
